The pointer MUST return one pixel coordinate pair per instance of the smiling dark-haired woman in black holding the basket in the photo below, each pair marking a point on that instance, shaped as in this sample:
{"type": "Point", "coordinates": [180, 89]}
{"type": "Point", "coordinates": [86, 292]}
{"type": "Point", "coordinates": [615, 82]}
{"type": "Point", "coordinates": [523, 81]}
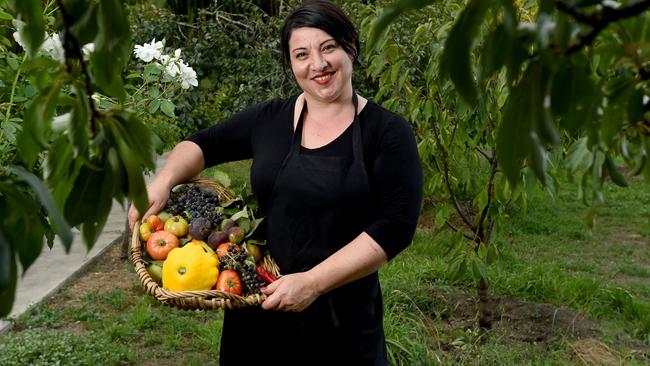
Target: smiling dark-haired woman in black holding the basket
{"type": "Point", "coordinates": [338, 179]}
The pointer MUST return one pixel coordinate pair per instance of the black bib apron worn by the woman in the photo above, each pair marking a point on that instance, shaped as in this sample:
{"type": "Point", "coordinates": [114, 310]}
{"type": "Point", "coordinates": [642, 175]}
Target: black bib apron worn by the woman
{"type": "Point", "coordinates": [318, 205]}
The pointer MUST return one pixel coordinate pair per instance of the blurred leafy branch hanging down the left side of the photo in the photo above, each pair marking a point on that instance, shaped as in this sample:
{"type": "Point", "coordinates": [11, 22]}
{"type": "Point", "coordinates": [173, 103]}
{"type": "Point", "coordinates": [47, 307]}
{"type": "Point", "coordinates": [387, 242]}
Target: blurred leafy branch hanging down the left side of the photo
{"type": "Point", "coordinates": [73, 158]}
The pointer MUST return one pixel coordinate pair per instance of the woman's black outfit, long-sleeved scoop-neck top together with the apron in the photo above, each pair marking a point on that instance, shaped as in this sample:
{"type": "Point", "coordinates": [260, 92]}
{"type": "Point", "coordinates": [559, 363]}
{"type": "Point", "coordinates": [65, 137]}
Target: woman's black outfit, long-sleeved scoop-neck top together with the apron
{"type": "Point", "coordinates": [368, 179]}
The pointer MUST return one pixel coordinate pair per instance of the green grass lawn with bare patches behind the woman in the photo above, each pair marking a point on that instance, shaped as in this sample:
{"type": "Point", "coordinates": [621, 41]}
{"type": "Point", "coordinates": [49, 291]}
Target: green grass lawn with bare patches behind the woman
{"type": "Point", "coordinates": [563, 295]}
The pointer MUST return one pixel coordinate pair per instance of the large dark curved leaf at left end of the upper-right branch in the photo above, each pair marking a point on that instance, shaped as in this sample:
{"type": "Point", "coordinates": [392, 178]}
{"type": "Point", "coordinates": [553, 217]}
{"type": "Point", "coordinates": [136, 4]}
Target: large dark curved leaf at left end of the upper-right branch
{"type": "Point", "coordinates": [456, 57]}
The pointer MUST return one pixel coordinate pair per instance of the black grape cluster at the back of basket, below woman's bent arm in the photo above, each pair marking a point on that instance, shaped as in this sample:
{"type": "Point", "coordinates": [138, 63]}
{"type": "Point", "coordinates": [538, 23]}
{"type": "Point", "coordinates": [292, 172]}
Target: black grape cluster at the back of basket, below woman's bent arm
{"type": "Point", "coordinates": [190, 202]}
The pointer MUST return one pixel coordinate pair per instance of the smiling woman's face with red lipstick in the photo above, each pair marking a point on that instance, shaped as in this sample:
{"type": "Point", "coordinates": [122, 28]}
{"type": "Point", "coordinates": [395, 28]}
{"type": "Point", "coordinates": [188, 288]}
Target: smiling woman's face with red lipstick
{"type": "Point", "coordinates": [320, 65]}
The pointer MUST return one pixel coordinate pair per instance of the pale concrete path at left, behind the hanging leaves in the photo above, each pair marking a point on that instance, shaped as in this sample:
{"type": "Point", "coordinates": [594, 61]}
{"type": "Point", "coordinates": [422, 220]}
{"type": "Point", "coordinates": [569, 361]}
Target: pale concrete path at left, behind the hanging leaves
{"type": "Point", "coordinates": [54, 268]}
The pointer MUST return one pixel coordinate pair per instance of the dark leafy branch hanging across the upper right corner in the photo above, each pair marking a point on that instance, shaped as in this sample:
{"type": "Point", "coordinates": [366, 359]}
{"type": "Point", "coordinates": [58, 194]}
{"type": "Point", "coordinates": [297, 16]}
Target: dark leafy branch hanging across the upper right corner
{"type": "Point", "coordinates": [580, 66]}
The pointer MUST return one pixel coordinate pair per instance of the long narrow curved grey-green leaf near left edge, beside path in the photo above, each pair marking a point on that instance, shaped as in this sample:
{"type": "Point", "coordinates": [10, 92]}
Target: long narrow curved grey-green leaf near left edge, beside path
{"type": "Point", "coordinates": [57, 220]}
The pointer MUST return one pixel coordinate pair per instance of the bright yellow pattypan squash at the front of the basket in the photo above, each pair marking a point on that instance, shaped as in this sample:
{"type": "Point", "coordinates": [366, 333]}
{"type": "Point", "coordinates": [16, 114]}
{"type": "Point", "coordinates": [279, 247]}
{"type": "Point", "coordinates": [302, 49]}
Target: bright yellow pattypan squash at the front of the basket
{"type": "Point", "coordinates": [190, 268]}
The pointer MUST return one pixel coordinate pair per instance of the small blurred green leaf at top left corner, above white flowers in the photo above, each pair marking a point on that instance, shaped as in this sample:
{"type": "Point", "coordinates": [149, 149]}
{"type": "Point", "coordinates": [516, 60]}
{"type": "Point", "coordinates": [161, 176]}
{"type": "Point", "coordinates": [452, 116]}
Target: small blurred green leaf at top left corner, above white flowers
{"type": "Point", "coordinates": [33, 32]}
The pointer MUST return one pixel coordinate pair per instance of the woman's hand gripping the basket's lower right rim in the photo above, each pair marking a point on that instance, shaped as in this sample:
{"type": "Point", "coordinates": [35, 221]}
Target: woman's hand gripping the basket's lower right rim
{"type": "Point", "coordinates": [292, 292]}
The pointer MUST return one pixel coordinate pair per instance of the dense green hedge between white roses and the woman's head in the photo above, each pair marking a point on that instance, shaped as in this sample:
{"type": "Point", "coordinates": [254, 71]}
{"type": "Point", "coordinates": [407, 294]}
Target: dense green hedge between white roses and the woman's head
{"type": "Point", "coordinates": [236, 57]}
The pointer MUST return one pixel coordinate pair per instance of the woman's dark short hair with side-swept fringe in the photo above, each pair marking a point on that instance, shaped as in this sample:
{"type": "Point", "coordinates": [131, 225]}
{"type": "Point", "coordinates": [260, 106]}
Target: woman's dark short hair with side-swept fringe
{"type": "Point", "coordinates": [326, 16]}
